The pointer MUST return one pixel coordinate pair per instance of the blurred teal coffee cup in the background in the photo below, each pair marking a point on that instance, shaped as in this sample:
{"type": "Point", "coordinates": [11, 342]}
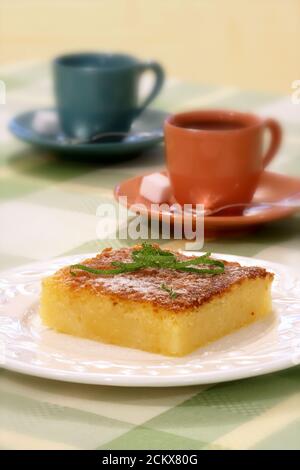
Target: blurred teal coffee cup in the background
{"type": "Point", "coordinates": [99, 93]}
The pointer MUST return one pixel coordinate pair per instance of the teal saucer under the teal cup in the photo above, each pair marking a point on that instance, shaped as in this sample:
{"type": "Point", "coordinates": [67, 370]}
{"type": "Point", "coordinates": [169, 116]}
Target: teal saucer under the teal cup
{"type": "Point", "coordinates": [146, 131]}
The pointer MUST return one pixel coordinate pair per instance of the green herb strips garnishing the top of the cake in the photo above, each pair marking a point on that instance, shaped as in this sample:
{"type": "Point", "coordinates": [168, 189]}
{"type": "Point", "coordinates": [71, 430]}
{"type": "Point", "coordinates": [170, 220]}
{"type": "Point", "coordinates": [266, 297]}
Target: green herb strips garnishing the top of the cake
{"type": "Point", "coordinates": [149, 256]}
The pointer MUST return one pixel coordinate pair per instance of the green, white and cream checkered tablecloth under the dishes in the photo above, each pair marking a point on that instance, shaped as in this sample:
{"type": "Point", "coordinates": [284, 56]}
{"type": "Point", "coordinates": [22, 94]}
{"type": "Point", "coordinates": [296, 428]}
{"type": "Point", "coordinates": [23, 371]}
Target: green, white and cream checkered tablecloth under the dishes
{"type": "Point", "coordinates": [47, 209]}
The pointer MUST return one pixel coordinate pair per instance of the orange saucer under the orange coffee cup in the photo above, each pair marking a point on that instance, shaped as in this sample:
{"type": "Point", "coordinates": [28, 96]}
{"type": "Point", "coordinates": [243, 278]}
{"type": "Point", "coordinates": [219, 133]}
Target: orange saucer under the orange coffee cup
{"type": "Point", "coordinates": [272, 188]}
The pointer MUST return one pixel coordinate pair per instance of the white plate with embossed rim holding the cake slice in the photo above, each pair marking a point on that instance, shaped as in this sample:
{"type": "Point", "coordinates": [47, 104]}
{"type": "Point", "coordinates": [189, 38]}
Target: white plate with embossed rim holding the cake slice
{"type": "Point", "coordinates": [27, 346]}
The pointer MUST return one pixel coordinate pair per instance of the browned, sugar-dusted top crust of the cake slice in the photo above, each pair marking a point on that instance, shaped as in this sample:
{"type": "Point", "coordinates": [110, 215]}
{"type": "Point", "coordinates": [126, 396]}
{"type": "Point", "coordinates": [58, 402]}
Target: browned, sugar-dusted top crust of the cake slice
{"type": "Point", "coordinates": [191, 289]}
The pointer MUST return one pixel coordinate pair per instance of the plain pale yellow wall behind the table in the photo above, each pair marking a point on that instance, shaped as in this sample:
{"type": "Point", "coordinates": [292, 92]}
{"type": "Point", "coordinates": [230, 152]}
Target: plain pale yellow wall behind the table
{"type": "Point", "coordinates": [248, 43]}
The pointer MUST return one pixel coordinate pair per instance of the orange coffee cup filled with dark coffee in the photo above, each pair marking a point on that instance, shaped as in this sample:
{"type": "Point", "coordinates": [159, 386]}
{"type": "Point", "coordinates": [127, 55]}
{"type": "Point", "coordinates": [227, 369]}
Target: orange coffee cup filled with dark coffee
{"type": "Point", "coordinates": [216, 157]}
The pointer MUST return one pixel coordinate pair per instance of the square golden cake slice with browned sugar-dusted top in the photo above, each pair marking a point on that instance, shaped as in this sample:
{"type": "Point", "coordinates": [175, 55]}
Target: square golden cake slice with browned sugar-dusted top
{"type": "Point", "coordinates": [163, 310]}
